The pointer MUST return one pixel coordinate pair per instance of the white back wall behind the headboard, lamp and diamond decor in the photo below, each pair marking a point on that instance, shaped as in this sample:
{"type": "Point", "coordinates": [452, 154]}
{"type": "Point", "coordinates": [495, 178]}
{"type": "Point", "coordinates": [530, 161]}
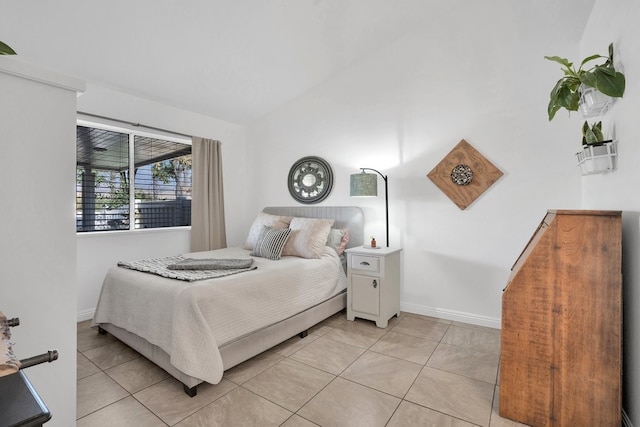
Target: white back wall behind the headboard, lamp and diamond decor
{"type": "Point", "coordinates": [401, 110]}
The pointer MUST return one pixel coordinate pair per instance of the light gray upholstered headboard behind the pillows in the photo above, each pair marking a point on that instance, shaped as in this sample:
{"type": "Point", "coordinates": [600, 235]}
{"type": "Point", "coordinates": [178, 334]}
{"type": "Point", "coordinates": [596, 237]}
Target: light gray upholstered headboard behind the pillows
{"type": "Point", "coordinates": [350, 217]}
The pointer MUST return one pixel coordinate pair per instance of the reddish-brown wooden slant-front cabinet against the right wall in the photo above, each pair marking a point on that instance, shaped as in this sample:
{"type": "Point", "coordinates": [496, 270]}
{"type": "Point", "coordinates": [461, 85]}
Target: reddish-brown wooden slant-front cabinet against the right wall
{"type": "Point", "coordinates": [561, 350]}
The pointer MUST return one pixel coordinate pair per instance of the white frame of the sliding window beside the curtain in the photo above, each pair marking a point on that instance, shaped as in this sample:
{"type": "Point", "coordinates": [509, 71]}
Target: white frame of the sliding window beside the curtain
{"type": "Point", "coordinates": [132, 131]}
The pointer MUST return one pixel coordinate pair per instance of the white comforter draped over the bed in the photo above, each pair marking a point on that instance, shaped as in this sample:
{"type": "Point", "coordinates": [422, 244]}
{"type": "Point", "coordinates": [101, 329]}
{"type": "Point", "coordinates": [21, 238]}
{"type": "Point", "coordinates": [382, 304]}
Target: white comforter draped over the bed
{"type": "Point", "coordinates": [189, 320]}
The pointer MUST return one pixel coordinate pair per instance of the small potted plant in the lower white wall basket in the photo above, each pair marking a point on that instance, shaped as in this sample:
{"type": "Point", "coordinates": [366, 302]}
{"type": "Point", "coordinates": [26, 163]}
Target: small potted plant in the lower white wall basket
{"type": "Point", "coordinates": [598, 154]}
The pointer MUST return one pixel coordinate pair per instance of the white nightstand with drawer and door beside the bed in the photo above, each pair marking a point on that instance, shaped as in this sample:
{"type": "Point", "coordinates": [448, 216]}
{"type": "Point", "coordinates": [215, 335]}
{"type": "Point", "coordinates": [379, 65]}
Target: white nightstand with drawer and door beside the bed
{"type": "Point", "coordinates": [373, 284]}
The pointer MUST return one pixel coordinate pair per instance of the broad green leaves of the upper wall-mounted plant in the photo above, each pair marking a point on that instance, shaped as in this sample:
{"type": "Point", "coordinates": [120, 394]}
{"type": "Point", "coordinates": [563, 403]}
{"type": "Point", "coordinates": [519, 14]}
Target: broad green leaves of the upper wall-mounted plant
{"type": "Point", "coordinates": [568, 90]}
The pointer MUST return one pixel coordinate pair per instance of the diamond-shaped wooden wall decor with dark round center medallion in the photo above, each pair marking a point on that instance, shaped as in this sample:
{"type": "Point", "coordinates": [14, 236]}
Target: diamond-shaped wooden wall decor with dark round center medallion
{"type": "Point", "coordinates": [464, 174]}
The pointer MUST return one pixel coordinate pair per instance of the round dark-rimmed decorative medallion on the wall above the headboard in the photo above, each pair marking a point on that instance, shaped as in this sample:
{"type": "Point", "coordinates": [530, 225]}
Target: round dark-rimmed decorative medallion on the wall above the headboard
{"type": "Point", "coordinates": [310, 180]}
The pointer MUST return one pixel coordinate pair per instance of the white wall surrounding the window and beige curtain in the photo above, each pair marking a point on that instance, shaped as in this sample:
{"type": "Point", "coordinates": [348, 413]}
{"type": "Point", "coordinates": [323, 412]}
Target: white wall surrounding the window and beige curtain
{"type": "Point", "coordinates": [97, 252]}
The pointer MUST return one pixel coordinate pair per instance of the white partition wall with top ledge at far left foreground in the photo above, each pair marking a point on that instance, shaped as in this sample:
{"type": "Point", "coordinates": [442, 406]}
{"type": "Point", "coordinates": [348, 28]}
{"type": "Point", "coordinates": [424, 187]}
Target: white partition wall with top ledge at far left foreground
{"type": "Point", "coordinates": [37, 243]}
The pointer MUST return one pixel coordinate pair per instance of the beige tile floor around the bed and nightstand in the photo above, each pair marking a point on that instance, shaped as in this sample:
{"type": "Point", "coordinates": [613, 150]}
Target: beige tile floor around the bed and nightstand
{"type": "Point", "coordinates": [419, 371]}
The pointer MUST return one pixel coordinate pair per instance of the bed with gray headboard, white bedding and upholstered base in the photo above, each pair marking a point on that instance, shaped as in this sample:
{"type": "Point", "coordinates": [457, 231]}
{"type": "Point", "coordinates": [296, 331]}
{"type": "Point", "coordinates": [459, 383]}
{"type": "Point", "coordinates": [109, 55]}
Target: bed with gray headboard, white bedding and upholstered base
{"type": "Point", "coordinates": [195, 330]}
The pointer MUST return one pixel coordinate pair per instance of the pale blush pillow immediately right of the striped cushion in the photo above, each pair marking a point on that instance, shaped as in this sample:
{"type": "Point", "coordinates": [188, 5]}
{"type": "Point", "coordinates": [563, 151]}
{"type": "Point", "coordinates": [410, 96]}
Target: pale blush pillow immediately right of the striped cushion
{"type": "Point", "coordinates": [308, 237]}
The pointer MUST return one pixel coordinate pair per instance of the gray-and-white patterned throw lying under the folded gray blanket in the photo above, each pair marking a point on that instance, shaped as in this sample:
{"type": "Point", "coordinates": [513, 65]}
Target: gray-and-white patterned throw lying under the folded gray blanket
{"type": "Point", "coordinates": [160, 267]}
